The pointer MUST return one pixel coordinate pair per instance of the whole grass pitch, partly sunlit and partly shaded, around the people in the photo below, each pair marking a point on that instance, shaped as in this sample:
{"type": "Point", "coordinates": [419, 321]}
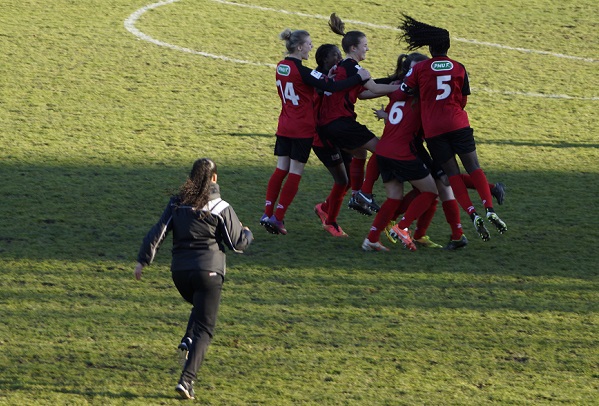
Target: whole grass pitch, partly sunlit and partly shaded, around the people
{"type": "Point", "coordinates": [104, 105]}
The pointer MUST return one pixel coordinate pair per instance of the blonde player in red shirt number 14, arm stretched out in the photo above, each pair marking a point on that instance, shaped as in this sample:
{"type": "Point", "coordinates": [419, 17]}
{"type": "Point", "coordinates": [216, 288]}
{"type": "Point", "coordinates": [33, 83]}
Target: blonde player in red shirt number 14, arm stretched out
{"type": "Point", "coordinates": [297, 123]}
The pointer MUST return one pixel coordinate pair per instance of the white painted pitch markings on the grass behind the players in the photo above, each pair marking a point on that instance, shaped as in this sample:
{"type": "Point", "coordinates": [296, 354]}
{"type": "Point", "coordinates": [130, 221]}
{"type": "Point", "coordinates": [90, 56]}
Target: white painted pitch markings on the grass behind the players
{"type": "Point", "coordinates": [134, 17]}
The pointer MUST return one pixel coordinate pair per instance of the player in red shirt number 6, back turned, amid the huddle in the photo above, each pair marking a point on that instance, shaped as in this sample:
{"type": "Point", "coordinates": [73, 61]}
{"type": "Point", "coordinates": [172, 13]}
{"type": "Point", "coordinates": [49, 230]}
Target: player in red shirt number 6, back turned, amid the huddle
{"type": "Point", "coordinates": [398, 163]}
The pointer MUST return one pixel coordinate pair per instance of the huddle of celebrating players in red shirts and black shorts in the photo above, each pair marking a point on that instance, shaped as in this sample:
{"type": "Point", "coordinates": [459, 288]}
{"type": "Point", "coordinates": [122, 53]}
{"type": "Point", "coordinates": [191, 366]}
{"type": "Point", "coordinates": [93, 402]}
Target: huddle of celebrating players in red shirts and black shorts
{"type": "Point", "coordinates": [426, 127]}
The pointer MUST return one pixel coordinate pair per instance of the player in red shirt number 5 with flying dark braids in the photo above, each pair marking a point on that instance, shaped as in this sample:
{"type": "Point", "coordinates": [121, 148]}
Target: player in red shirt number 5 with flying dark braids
{"type": "Point", "coordinates": [443, 87]}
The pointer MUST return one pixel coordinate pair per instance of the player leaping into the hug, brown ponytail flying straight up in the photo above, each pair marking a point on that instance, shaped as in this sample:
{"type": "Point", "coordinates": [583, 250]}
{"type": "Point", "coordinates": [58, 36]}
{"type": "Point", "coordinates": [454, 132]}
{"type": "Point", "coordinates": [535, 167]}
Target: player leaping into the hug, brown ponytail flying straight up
{"type": "Point", "coordinates": [337, 121]}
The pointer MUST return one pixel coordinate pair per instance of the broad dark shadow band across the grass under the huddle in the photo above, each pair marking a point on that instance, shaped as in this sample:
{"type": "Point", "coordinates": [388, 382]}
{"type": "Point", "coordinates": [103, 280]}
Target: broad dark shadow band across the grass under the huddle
{"type": "Point", "coordinates": [94, 213]}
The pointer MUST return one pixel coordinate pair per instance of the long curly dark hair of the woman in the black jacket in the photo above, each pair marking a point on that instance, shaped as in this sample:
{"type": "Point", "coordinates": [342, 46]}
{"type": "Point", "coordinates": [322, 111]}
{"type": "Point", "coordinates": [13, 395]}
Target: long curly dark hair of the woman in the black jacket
{"type": "Point", "coordinates": [195, 192]}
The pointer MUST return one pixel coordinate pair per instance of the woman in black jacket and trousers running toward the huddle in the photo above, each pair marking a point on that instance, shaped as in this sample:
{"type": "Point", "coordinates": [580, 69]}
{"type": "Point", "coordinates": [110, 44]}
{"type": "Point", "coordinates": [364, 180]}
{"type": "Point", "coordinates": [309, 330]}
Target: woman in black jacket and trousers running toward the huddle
{"type": "Point", "coordinates": [203, 225]}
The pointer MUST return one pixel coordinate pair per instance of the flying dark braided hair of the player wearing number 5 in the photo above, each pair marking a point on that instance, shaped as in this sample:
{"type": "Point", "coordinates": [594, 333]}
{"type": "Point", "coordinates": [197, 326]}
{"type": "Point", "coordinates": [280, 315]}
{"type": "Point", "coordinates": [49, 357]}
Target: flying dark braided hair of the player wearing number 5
{"type": "Point", "coordinates": [417, 34]}
